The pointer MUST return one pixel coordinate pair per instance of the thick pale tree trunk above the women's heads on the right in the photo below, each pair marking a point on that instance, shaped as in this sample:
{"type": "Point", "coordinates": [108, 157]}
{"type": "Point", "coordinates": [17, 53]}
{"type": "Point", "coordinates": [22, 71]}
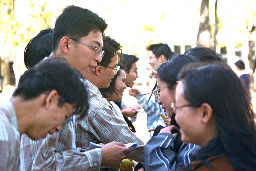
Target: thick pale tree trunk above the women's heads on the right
{"type": "Point", "coordinates": [204, 36]}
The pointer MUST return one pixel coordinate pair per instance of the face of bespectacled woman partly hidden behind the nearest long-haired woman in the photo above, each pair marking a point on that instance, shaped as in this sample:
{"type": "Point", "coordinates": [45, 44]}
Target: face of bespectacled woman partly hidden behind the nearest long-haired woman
{"type": "Point", "coordinates": [166, 96]}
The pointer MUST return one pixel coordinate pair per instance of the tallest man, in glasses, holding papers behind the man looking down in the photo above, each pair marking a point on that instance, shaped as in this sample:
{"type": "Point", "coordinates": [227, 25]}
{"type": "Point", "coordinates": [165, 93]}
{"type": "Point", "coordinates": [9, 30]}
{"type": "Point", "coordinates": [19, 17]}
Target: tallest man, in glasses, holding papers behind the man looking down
{"type": "Point", "coordinates": [77, 37]}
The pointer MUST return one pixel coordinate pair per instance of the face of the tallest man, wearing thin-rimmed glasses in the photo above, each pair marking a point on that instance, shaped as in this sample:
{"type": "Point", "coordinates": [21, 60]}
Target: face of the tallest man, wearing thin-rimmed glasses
{"type": "Point", "coordinates": [83, 57]}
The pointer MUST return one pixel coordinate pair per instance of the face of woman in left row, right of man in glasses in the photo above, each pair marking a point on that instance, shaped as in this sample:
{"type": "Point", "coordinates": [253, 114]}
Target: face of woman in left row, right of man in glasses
{"type": "Point", "coordinates": [120, 86]}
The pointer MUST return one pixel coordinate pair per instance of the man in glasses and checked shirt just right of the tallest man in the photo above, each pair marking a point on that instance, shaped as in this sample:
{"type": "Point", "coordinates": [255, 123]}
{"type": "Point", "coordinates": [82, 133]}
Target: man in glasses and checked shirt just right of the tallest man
{"type": "Point", "coordinates": [103, 125]}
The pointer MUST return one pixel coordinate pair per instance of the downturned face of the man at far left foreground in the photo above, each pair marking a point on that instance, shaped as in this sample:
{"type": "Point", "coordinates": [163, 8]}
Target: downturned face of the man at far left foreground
{"type": "Point", "coordinates": [49, 119]}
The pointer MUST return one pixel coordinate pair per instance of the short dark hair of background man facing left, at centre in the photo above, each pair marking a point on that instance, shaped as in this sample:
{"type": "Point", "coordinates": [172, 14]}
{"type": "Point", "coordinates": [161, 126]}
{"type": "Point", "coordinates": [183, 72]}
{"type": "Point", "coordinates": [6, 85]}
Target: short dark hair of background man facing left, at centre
{"type": "Point", "coordinates": [161, 49]}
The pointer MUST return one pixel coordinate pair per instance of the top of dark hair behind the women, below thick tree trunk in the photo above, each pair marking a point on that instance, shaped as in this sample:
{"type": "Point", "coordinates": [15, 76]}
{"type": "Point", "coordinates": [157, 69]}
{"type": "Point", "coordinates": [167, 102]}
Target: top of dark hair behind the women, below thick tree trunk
{"type": "Point", "coordinates": [202, 54]}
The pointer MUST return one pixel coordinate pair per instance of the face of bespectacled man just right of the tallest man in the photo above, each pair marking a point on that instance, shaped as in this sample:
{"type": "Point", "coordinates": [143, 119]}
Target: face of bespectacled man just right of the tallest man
{"type": "Point", "coordinates": [106, 73]}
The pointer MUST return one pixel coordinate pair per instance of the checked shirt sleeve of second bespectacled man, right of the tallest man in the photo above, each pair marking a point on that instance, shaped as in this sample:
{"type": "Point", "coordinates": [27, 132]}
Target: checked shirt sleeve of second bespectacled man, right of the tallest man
{"type": "Point", "coordinates": [105, 126]}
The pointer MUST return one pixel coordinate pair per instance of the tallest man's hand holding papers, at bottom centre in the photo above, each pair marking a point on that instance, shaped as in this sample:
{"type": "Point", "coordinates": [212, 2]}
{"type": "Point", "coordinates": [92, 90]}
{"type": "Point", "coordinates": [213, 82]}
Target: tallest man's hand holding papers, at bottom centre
{"type": "Point", "coordinates": [113, 153]}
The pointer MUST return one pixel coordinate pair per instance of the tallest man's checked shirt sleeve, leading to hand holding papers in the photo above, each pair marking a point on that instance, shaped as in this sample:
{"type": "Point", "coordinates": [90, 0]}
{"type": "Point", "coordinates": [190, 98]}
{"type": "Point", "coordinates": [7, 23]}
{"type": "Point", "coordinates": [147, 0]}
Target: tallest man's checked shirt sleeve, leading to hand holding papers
{"type": "Point", "coordinates": [58, 152]}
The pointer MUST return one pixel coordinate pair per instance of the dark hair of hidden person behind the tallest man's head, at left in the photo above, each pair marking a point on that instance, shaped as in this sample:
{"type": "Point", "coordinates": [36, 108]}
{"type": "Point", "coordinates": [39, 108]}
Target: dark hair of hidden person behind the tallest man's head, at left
{"type": "Point", "coordinates": [38, 48]}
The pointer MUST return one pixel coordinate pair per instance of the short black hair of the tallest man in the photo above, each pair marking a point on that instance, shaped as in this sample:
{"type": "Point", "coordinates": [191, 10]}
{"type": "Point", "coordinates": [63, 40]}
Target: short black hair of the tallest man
{"type": "Point", "coordinates": [76, 22]}
